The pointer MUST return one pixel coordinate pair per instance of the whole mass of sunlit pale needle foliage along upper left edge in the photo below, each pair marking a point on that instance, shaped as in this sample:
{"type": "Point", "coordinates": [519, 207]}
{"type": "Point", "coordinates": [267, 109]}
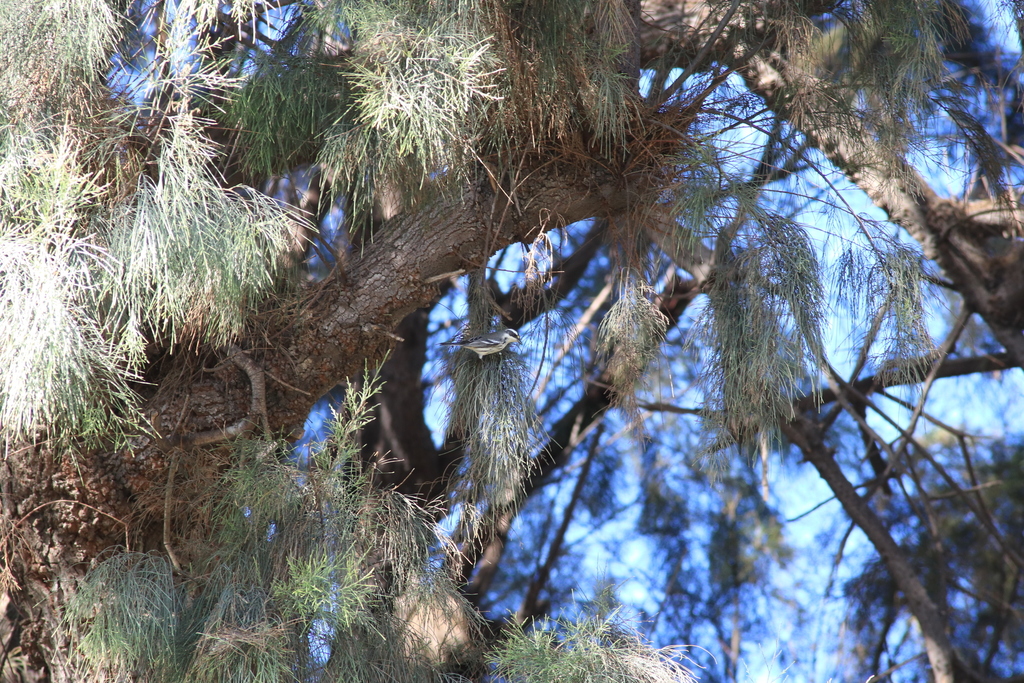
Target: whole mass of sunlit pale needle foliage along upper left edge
{"type": "Point", "coordinates": [99, 259]}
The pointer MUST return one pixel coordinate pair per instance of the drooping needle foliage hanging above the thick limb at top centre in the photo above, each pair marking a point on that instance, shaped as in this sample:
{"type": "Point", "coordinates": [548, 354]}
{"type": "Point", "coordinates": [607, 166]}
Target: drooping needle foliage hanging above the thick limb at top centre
{"type": "Point", "coordinates": [406, 98]}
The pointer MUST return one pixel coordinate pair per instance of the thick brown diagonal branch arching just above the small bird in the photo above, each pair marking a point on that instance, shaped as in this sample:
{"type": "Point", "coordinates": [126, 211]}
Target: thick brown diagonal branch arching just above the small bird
{"type": "Point", "coordinates": [349, 320]}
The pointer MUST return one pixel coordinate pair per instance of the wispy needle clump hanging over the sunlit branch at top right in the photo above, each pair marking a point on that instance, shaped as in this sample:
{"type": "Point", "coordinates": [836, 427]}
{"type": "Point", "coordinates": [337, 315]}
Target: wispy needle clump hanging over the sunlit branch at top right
{"type": "Point", "coordinates": [886, 78]}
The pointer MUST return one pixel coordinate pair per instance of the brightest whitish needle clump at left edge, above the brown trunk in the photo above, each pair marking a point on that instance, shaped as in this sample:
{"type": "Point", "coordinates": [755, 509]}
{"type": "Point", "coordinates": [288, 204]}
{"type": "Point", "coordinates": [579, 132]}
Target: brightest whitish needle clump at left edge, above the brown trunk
{"type": "Point", "coordinates": [58, 369]}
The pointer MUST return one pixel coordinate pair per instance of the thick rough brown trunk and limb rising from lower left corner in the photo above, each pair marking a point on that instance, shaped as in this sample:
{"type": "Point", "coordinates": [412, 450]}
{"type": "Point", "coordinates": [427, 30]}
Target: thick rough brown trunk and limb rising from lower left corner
{"type": "Point", "coordinates": [62, 510]}
